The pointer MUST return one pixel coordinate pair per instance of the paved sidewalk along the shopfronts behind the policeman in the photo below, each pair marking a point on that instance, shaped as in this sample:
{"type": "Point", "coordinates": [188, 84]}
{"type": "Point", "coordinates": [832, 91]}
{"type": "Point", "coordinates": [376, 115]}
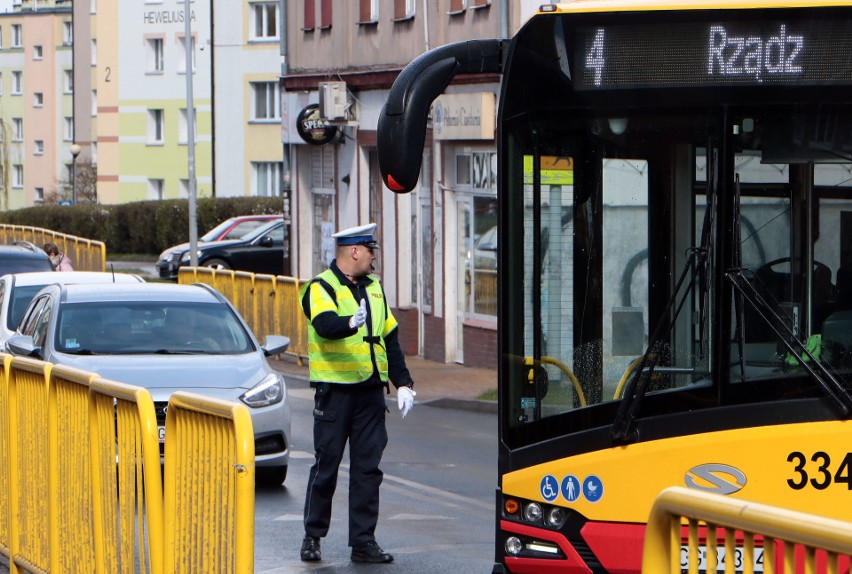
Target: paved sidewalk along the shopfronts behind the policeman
{"type": "Point", "coordinates": [440, 384]}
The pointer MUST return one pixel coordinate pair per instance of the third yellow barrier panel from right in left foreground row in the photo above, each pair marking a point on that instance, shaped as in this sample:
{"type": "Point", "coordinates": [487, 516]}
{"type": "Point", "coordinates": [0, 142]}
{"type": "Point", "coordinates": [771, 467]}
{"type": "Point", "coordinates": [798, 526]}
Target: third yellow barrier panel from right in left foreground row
{"type": "Point", "coordinates": [72, 546]}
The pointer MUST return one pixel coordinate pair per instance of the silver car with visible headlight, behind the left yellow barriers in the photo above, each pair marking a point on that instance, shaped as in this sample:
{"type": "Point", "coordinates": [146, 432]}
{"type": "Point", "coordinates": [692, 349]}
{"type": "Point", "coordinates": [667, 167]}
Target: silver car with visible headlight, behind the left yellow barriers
{"type": "Point", "coordinates": [165, 337]}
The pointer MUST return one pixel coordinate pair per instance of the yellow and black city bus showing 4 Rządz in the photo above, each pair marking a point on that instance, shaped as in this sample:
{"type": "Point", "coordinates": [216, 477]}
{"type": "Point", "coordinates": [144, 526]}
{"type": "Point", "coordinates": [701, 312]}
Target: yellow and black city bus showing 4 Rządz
{"type": "Point", "coordinates": [674, 263]}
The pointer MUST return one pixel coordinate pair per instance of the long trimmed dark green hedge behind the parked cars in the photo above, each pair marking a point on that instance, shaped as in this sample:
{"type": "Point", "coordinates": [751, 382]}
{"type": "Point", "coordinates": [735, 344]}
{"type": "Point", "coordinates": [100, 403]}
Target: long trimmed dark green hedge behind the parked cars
{"type": "Point", "coordinates": [144, 227]}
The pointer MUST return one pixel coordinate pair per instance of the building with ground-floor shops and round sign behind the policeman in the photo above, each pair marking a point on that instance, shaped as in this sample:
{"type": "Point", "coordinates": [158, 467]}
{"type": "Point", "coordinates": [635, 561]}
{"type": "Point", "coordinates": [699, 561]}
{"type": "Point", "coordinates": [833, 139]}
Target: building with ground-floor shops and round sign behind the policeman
{"type": "Point", "coordinates": [438, 256]}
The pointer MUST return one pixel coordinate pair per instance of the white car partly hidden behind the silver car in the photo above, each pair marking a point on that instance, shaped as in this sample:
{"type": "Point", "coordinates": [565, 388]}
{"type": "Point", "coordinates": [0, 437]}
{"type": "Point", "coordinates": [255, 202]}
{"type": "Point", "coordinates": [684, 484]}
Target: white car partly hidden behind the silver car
{"type": "Point", "coordinates": [18, 289]}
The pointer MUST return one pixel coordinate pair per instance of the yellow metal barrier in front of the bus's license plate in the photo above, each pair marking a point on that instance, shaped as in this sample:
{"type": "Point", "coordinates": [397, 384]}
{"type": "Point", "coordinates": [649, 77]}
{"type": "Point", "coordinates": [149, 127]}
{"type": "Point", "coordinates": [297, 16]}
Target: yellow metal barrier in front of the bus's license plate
{"type": "Point", "coordinates": [676, 506]}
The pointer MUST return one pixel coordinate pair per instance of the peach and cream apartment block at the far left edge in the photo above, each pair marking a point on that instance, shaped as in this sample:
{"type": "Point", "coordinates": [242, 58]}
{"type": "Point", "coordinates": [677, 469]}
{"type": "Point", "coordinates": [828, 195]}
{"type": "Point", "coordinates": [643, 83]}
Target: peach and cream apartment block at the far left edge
{"type": "Point", "coordinates": [36, 83]}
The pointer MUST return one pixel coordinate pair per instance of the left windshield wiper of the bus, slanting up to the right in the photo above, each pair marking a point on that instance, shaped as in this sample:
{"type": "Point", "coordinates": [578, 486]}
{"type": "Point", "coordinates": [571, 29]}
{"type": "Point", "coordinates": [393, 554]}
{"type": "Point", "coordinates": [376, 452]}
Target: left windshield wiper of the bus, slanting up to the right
{"type": "Point", "coordinates": [623, 427]}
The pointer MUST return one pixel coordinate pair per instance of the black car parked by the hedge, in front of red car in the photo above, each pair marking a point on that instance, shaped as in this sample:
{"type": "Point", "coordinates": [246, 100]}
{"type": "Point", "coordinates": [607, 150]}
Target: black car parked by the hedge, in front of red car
{"type": "Point", "coordinates": [259, 251]}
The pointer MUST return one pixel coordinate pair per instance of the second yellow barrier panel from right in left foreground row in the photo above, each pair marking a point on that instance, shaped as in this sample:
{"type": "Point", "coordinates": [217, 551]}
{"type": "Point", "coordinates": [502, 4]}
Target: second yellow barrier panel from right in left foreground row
{"type": "Point", "coordinates": [127, 484]}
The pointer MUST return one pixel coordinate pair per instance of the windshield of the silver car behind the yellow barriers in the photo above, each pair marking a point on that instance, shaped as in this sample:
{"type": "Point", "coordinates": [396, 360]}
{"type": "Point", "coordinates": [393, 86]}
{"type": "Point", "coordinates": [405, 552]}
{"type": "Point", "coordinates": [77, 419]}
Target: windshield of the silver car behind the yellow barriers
{"type": "Point", "coordinates": [136, 327]}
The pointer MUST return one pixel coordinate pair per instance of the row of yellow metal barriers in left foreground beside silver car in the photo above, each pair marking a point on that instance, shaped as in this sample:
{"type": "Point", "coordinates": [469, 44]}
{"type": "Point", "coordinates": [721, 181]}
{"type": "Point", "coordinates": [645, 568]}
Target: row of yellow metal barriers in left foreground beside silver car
{"type": "Point", "coordinates": [95, 502]}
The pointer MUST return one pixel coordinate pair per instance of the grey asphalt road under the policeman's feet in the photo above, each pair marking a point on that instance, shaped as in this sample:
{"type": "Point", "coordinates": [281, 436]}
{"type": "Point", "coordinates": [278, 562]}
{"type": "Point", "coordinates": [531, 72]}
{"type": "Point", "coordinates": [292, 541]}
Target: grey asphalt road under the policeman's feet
{"type": "Point", "coordinates": [437, 505]}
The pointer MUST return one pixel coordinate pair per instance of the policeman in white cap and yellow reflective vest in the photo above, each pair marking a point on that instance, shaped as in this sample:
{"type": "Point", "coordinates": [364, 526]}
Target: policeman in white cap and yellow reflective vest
{"type": "Point", "coordinates": [353, 351]}
